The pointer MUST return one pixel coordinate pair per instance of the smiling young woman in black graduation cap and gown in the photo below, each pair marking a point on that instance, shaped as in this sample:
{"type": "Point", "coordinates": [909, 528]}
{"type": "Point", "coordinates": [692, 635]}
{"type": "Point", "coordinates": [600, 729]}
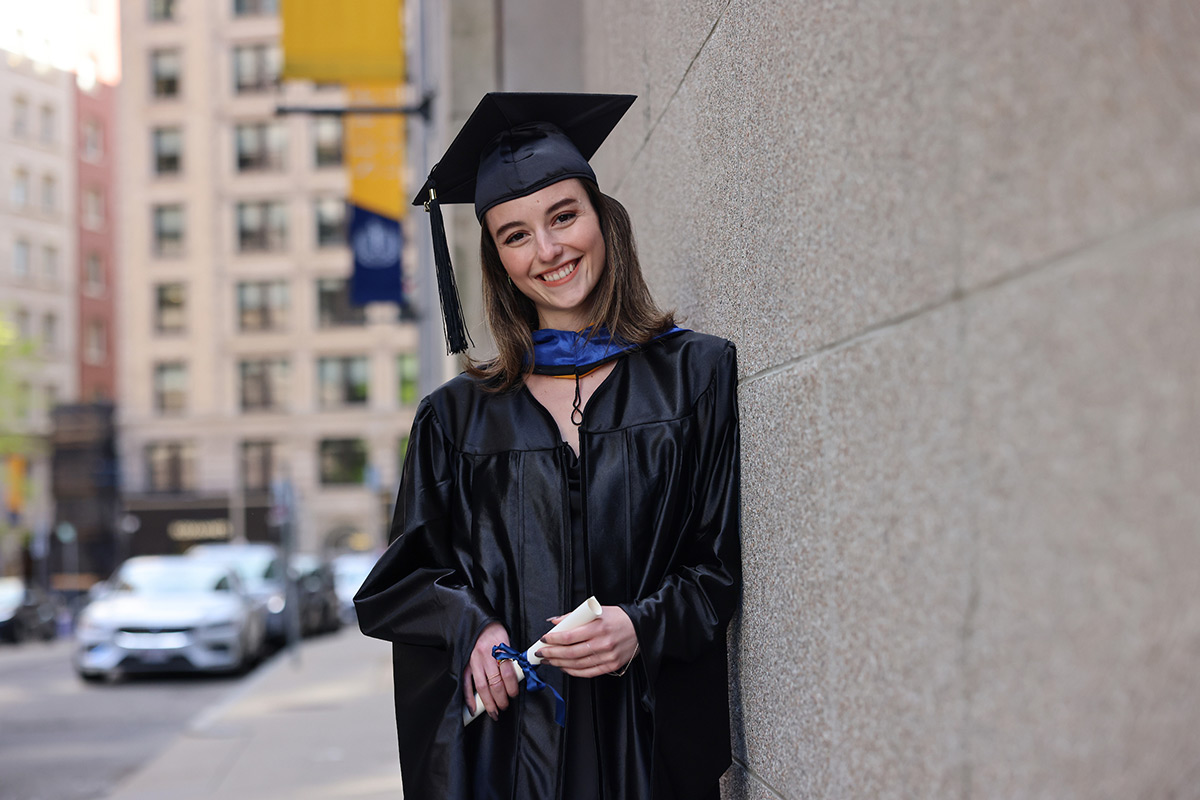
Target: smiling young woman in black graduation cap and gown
{"type": "Point", "coordinates": [596, 455]}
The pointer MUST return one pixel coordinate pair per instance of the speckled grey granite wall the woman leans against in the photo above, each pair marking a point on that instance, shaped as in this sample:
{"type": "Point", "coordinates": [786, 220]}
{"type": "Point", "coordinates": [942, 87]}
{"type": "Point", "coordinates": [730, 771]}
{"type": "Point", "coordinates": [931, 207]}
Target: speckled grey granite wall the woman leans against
{"type": "Point", "coordinates": [958, 245]}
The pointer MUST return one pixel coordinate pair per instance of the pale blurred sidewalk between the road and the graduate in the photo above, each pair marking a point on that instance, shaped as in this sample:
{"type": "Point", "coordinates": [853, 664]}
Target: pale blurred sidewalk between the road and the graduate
{"type": "Point", "coordinates": [320, 729]}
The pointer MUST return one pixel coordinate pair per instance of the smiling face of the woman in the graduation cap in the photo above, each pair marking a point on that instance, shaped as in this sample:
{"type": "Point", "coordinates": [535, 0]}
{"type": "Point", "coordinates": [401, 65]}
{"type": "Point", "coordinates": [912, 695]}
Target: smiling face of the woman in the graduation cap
{"type": "Point", "coordinates": [551, 246]}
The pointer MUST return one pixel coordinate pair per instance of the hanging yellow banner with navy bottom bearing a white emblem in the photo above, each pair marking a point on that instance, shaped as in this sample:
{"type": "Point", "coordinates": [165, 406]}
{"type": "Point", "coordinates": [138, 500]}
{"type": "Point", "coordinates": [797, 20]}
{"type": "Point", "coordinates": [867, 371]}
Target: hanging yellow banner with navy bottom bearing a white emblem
{"type": "Point", "coordinates": [375, 159]}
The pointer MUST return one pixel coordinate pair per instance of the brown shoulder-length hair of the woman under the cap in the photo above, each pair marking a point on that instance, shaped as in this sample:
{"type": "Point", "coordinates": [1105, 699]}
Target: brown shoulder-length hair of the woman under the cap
{"type": "Point", "coordinates": [622, 303]}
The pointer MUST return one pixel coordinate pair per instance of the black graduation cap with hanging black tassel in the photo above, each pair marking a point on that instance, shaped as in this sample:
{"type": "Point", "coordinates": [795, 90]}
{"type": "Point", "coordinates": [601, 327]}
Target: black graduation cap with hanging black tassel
{"type": "Point", "coordinates": [513, 146]}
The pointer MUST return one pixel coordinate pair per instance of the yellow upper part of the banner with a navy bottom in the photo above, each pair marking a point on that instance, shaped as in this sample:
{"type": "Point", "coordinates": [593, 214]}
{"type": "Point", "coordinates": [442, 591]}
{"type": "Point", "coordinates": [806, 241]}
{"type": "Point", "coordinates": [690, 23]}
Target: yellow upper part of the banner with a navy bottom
{"type": "Point", "coordinates": [375, 152]}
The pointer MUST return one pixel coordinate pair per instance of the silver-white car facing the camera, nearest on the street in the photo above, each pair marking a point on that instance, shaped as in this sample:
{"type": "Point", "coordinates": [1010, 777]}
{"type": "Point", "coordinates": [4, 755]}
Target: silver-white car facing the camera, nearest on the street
{"type": "Point", "coordinates": [170, 613]}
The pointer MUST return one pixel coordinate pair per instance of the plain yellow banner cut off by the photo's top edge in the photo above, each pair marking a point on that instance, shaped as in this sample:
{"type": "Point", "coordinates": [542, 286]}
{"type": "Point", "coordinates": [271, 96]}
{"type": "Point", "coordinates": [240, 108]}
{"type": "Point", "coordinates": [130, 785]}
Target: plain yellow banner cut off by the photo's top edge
{"type": "Point", "coordinates": [333, 41]}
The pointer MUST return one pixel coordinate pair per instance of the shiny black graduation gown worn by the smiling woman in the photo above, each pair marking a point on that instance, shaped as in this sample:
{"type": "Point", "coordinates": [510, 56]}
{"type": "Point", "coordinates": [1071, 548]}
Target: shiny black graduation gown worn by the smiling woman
{"type": "Point", "coordinates": [482, 534]}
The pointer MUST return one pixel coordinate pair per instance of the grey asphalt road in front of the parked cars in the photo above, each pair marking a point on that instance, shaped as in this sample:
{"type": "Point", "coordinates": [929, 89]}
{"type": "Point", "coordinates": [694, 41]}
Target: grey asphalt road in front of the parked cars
{"type": "Point", "coordinates": [63, 739]}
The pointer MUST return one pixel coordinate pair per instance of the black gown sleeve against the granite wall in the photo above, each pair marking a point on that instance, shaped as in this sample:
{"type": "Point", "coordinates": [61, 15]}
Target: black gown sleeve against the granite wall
{"type": "Point", "coordinates": [694, 605]}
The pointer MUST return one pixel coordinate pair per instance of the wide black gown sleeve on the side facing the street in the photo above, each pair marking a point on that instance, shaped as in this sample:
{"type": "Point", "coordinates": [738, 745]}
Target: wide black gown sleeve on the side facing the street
{"type": "Point", "coordinates": [418, 592]}
